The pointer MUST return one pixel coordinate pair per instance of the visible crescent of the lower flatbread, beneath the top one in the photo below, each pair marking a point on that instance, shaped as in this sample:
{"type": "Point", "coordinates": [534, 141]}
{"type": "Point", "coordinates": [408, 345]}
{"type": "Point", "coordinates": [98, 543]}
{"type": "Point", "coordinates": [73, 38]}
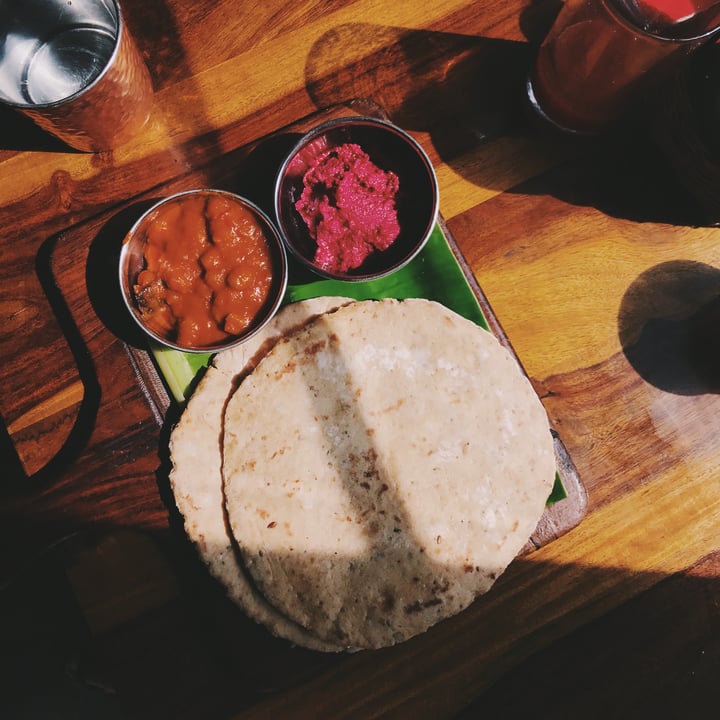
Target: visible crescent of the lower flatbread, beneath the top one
{"type": "Point", "coordinates": [196, 480]}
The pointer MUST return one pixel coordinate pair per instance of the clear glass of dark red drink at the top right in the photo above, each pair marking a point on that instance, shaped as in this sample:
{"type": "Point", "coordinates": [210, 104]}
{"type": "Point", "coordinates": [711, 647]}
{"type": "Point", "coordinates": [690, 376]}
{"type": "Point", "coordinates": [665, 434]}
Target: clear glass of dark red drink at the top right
{"type": "Point", "coordinates": [600, 55]}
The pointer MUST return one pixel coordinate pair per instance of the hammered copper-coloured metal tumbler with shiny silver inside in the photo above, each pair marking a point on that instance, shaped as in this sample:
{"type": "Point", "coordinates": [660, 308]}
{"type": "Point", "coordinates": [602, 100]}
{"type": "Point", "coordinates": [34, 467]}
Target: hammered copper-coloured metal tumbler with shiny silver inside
{"type": "Point", "coordinates": [74, 69]}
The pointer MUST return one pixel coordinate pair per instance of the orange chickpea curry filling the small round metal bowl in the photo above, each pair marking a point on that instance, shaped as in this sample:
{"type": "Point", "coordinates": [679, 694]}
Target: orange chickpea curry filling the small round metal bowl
{"type": "Point", "coordinates": [208, 270]}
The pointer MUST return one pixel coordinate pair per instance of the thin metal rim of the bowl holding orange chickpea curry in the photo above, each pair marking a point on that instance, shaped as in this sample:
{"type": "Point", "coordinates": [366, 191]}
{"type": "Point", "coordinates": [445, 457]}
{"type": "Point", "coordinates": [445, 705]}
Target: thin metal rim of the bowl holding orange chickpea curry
{"type": "Point", "coordinates": [279, 253]}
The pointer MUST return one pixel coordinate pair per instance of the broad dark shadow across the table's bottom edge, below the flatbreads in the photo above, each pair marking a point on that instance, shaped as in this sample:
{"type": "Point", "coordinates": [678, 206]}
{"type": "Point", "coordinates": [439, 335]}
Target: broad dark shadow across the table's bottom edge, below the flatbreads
{"type": "Point", "coordinates": [128, 625]}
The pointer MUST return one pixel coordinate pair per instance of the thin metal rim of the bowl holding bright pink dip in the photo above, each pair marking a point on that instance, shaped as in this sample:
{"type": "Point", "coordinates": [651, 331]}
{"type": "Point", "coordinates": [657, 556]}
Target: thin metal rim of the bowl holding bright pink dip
{"type": "Point", "coordinates": [324, 128]}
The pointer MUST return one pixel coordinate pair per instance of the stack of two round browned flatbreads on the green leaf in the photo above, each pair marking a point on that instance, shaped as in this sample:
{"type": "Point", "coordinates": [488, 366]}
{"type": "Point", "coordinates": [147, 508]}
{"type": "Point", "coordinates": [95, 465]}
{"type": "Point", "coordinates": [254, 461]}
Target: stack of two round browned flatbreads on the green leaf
{"type": "Point", "coordinates": [361, 470]}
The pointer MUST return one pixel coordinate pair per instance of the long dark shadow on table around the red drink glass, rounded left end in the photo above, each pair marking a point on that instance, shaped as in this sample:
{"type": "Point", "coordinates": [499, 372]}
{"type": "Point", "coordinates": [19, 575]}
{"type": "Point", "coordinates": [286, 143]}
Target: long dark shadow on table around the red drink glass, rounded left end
{"type": "Point", "coordinates": [472, 92]}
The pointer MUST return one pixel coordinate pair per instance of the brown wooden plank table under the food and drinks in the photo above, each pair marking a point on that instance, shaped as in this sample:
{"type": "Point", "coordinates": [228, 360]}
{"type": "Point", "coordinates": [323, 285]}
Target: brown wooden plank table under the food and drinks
{"type": "Point", "coordinates": [602, 269]}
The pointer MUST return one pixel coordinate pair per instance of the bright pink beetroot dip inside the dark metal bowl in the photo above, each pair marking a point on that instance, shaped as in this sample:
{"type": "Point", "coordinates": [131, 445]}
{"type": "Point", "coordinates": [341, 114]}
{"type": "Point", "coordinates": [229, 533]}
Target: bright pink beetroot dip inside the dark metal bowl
{"type": "Point", "coordinates": [348, 204]}
